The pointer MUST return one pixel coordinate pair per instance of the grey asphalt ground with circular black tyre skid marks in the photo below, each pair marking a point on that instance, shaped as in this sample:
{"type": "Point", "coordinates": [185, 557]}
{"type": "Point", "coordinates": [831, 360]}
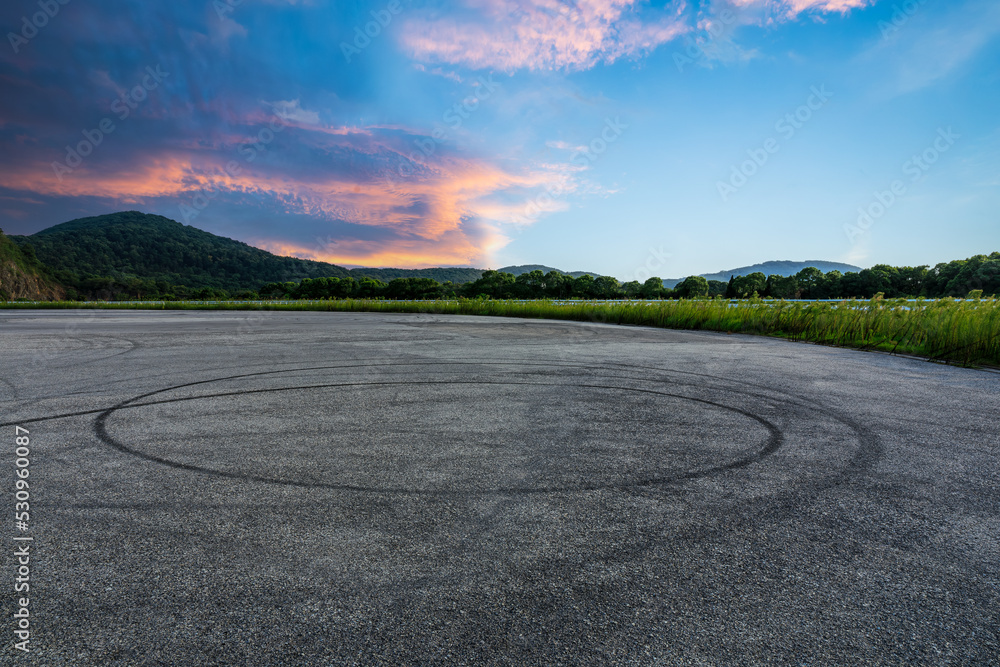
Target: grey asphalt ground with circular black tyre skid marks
{"type": "Point", "coordinates": [335, 488]}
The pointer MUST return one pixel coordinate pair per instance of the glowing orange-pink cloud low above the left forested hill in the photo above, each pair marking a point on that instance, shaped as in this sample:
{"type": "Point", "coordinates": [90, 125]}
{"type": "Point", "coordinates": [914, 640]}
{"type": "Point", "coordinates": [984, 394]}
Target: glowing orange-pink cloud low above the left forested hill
{"type": "Point", "coordinates": [449, 210]}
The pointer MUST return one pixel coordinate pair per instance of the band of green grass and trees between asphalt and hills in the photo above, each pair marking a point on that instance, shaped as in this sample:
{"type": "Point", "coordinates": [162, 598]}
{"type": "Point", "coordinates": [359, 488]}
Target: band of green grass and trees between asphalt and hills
{"type": "Point", "coordinates": [906, 310]}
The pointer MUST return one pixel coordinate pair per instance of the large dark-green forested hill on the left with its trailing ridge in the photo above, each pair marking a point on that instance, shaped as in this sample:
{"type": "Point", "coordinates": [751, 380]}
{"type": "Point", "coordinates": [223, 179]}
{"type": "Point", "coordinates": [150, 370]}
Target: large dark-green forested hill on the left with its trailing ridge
{"type": "Point", "coordinates": [127, 244]}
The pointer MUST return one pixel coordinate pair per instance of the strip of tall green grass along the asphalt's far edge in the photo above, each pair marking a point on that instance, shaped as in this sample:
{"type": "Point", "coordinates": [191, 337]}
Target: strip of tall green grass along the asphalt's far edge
{"type": "Point", "coordinates": [965, 332]}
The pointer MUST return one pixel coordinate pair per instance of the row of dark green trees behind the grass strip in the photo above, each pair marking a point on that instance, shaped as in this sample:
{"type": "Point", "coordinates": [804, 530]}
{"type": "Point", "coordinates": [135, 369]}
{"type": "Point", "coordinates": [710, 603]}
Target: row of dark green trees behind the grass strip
{"type": "Point", "coordinates": [955, 279]}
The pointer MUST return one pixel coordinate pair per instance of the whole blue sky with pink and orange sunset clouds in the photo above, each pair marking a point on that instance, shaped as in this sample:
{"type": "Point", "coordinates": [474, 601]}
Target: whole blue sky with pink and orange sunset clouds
{"type": "Point", "coordinates": [622, 137]}
